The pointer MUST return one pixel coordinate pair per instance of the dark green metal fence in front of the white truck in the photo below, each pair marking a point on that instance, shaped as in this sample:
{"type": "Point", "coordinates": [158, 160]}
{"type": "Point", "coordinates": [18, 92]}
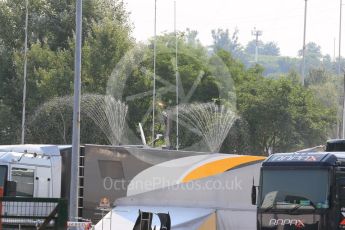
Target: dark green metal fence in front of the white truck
{"type": "Point", "coordinates": [33, 213]}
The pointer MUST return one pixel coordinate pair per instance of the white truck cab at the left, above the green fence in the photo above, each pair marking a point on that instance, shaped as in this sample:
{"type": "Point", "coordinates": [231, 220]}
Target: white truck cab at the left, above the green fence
{"type": "Point", "coordinates": [30, 171]}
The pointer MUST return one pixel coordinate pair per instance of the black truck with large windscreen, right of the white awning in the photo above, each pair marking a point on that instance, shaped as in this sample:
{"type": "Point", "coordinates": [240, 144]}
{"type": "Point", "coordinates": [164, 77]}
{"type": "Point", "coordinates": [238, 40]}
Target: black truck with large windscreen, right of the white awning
{"type": "Point", "coordinates": [302, 190]}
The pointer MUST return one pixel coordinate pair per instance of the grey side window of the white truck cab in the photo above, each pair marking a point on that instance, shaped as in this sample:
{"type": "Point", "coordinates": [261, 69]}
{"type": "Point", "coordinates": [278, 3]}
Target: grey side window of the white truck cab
{"type": "Point", "coordinates": [25, 181]}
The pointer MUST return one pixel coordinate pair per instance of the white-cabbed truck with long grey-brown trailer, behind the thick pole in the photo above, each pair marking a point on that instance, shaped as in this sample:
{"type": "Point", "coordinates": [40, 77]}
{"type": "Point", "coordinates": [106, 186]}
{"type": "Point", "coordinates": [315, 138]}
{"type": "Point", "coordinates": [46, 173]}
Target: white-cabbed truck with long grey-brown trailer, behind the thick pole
{"type": "Point", "coordinates": [39, 171]}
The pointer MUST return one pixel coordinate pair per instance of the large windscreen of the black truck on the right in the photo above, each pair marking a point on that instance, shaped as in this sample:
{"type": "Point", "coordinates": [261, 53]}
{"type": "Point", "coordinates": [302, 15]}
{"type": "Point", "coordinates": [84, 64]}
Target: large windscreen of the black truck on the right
{"type": "Point", "coordinates": [288, 188]}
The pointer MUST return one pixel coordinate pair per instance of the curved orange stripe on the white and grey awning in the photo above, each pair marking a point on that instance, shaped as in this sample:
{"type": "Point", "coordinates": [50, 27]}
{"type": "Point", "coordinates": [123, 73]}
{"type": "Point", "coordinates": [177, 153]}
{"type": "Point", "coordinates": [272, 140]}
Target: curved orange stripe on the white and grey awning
{"type": "Point", "coordinates": [219, 166]}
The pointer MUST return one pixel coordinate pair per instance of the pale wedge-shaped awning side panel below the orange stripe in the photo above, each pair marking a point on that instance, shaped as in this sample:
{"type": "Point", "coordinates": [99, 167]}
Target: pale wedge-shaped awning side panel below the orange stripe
{"type": "Point", "coordinates": [229, 190]}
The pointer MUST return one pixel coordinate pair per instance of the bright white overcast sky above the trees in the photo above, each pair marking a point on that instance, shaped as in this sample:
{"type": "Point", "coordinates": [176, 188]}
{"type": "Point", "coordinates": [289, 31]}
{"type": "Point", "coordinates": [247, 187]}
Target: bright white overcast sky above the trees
{"type": "Point", "coordinates": [280, 21]}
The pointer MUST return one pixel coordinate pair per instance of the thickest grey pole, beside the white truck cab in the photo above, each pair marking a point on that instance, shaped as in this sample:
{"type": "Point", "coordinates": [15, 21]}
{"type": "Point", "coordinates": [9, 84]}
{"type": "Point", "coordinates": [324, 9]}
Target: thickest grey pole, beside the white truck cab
{"type": "Point", "coordinates": [74, 183]}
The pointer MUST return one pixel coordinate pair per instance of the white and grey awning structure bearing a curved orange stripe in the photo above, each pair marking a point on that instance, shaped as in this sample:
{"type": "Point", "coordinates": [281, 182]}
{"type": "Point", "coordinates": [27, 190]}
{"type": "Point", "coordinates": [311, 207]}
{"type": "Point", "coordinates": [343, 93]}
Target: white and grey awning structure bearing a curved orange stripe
{"type": "Point", "coordinates": [224, 194]}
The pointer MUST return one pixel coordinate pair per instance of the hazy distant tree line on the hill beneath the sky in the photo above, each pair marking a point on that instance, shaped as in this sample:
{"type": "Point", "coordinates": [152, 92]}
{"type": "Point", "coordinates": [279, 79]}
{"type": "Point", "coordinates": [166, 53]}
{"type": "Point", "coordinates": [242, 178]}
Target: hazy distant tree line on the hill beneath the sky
{"type": "Point", "coordinates": [270, 57]}
